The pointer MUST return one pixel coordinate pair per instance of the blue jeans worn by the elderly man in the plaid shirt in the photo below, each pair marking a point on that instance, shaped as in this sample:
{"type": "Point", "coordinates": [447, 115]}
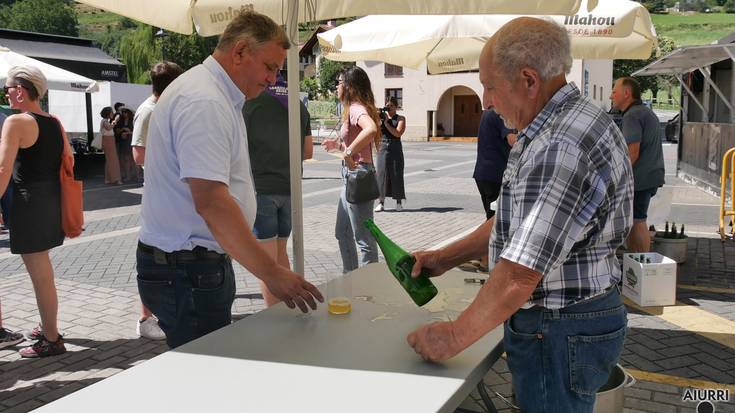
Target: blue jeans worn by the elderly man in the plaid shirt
{"type": "Point", "coordinates": [560, 358]}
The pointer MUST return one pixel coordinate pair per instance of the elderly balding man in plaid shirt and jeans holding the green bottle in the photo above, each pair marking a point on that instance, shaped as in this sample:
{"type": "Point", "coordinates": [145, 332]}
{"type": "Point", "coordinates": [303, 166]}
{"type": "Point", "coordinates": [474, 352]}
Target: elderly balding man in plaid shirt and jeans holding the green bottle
{"type": "Point", "coordinates": [564, 208]}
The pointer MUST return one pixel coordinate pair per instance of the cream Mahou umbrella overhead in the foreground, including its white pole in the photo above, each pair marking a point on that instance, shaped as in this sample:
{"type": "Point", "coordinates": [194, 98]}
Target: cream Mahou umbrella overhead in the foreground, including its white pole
{"type": "Point", "coordinates": [210, 17]}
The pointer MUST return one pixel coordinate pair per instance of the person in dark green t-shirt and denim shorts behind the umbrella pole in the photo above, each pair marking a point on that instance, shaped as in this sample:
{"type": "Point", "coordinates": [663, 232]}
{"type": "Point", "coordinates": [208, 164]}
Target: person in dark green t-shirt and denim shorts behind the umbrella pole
{"type": "Point", "coordinates": [266, 120]}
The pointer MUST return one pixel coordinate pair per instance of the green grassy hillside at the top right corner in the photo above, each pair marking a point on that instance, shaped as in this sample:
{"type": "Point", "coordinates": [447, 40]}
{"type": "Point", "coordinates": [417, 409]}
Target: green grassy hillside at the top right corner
{"type": "Point", "coordinates": [695, 29]}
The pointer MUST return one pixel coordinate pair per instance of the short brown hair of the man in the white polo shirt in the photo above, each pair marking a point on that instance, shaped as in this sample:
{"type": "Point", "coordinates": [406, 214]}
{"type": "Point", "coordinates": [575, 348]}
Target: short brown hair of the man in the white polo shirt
{"type": "Point", "coordinates": [254, 27]}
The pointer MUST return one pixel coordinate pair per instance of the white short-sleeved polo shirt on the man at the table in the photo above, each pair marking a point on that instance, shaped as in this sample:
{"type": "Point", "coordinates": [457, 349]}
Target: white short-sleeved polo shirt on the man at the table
{"type": "Point", "coordinates": [196, 131]}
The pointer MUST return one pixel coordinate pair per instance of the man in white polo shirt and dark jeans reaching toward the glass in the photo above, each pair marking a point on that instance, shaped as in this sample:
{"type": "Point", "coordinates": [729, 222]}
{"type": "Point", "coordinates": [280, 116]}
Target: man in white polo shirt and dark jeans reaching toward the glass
{"type": "Point", "coordinates": [199, 199]}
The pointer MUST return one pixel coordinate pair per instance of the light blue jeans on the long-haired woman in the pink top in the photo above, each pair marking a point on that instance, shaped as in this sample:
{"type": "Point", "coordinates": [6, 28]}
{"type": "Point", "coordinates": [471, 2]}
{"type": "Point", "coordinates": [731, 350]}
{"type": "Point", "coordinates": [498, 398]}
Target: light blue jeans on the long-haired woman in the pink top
{"type": "Point", "coordinates": [349, 230]}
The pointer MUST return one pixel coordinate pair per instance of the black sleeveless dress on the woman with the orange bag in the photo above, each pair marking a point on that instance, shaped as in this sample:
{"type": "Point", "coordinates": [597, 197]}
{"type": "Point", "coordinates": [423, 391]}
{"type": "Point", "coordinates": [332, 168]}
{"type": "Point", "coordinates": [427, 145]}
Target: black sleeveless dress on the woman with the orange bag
{"type": "Point", "coordinates": [35, 223]}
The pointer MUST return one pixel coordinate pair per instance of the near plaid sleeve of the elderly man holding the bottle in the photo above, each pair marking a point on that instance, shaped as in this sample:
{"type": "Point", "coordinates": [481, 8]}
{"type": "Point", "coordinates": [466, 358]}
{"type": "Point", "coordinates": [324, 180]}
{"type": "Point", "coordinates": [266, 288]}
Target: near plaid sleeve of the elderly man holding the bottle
{"type": "Point", "coordinates": [561, 196]}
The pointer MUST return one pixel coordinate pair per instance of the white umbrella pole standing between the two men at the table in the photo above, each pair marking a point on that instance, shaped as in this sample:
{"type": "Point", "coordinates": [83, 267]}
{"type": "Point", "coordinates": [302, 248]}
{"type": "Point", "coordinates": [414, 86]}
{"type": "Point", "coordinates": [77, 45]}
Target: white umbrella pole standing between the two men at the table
{"type": "Point", "coordinates": [294, 137]}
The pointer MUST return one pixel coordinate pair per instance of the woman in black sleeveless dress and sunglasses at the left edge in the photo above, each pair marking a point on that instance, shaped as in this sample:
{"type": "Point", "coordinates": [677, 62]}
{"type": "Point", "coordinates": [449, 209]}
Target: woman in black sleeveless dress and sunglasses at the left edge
{"type": "Point", "coordinates": [30, 158]}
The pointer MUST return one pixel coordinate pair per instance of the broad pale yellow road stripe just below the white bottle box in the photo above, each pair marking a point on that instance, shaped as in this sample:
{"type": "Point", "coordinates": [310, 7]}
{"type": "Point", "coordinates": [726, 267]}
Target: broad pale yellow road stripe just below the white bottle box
{"type": "Point", "coordinates": [696, 320]}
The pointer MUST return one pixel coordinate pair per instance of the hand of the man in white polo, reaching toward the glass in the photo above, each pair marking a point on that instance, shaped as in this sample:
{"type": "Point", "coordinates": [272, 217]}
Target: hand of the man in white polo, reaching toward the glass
{"type": "Point", "coordinates": [293, 289]}
